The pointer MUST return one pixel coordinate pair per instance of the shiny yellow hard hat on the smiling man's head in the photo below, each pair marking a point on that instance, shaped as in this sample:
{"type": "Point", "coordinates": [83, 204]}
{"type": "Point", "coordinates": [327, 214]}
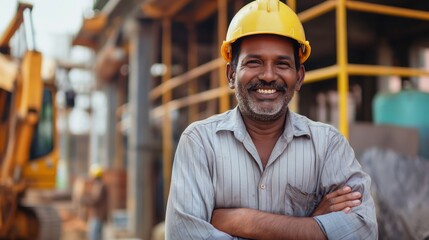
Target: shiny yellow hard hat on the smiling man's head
{"type": "Point", "coordinates": [266, 17]}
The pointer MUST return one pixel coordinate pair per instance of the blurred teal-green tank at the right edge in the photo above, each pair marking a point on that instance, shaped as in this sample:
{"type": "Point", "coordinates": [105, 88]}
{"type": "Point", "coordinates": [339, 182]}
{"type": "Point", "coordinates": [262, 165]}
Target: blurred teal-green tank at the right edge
{"type": "Point", "coordinates": [408, 108]}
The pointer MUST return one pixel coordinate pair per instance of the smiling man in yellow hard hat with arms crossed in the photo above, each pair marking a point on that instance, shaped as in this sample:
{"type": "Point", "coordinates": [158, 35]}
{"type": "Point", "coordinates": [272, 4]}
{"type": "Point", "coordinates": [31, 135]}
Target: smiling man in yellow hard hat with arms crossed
{"type": "Point", "coordinates": [261, 171]}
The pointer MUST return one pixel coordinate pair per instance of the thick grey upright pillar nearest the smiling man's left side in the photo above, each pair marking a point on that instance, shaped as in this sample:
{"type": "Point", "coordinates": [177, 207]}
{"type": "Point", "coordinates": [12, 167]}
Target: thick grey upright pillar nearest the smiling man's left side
{"type": "Point", "coordinates": [140, 184]}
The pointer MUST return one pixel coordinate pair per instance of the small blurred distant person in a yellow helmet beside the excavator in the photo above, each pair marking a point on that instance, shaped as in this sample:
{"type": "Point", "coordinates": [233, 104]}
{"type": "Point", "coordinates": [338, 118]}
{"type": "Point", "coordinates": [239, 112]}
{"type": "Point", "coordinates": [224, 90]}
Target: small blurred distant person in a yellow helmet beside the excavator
{"type": "Point", "coordinates": [95, 198]}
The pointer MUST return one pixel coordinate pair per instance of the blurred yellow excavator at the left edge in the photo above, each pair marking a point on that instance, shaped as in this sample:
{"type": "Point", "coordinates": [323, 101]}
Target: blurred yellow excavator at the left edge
{"type": "Point", "coordinates": [28, 147]}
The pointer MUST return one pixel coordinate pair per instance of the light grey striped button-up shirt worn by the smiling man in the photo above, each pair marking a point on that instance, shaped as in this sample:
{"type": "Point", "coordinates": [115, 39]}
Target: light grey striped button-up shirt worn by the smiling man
{"type": "Point", "coordinates": [217, 166]}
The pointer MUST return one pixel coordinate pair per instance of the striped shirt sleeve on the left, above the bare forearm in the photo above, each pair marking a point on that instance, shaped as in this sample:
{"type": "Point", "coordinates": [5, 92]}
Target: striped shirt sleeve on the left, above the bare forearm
{"type": "Point", "coordinates": [191, 200]}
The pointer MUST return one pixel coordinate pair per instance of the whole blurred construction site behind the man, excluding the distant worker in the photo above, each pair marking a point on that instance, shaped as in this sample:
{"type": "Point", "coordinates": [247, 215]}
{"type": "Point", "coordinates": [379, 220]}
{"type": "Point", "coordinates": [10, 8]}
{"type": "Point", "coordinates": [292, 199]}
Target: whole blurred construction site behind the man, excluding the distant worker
{"type": "Point", "coordinates": [121, 79]}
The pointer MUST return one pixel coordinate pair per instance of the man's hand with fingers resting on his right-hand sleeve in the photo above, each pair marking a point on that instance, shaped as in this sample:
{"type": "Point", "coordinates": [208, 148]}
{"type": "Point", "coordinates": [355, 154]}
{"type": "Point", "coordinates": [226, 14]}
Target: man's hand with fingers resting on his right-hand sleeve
{"type": "Point", "coordinates": [342, 199]}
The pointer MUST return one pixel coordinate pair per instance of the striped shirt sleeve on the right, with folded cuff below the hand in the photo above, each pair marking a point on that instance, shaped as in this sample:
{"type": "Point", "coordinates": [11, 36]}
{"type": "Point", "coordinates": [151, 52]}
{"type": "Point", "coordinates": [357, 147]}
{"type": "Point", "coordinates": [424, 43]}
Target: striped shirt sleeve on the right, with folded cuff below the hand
{"type": "Point", "coordinates": [342, 169]}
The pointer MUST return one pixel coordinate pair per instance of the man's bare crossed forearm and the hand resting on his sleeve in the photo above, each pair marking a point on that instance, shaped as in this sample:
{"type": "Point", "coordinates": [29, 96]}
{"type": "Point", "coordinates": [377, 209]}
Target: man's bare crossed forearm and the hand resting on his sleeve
{"type": "Point", "coordinates": [254, 224]}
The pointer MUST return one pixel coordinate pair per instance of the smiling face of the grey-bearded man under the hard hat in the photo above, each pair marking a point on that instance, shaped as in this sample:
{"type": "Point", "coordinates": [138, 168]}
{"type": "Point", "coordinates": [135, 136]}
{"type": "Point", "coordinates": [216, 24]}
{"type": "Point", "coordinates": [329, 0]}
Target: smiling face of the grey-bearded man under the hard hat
{"type": "Point", "coordinates": [265, 77]}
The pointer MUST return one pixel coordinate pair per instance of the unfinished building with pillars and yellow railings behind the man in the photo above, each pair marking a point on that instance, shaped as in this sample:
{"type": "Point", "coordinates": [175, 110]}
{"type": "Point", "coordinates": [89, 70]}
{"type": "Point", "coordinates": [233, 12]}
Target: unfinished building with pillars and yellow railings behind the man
{"type": "Point", "coordinates": [158, 64]}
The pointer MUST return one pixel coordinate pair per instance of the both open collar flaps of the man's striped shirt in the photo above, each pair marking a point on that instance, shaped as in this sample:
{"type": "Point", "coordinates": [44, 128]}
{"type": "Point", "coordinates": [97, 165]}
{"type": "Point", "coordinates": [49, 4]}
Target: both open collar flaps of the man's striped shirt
{"type": "Point", "coordinates": [295, 125]}
